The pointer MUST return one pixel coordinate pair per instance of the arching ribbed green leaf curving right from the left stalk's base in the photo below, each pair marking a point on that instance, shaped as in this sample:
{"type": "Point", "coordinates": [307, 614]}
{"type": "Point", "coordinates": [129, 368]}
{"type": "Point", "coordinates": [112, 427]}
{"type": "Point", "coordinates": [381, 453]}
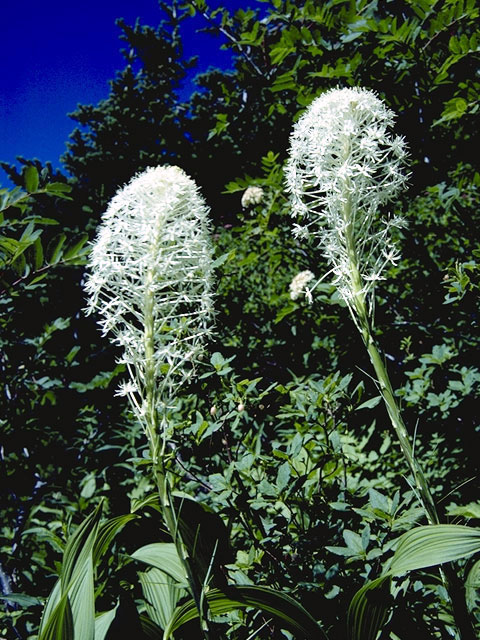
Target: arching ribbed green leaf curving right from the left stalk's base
{"type": "Point", "coordinates": [274, 603]}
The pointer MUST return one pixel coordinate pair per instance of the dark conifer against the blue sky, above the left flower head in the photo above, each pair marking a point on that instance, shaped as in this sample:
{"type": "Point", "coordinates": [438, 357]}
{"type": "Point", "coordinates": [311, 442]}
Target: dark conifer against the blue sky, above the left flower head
{"type": "Point", "coordinates": [139, 124]}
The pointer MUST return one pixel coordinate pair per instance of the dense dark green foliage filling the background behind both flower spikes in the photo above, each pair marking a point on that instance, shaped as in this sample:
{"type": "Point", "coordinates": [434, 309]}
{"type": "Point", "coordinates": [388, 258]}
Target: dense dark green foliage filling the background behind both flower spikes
{"type": "Point", "coordinates": [281, 436]}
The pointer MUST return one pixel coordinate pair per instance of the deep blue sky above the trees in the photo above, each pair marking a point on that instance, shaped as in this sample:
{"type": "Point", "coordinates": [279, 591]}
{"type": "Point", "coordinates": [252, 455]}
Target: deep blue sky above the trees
{"type": "Point", "coordinates": [57, 54]}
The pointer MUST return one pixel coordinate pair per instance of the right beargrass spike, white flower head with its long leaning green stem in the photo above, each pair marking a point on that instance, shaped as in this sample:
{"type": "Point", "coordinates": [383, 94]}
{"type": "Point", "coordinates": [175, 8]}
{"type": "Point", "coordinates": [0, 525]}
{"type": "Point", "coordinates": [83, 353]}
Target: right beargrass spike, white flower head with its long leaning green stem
{"type": "Point", "coordinates": [345, 165]}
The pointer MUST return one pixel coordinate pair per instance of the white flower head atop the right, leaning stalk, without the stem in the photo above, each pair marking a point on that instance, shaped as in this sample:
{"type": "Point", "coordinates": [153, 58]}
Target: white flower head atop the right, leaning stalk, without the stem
{"type": "Point", "coordinates": [344, 165]}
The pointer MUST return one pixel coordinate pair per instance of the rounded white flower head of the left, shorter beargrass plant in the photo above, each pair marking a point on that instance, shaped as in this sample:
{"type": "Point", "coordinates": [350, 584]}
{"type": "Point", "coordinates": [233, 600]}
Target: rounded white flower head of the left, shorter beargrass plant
{"type": "Point", "coordinates": [150, 278]}
